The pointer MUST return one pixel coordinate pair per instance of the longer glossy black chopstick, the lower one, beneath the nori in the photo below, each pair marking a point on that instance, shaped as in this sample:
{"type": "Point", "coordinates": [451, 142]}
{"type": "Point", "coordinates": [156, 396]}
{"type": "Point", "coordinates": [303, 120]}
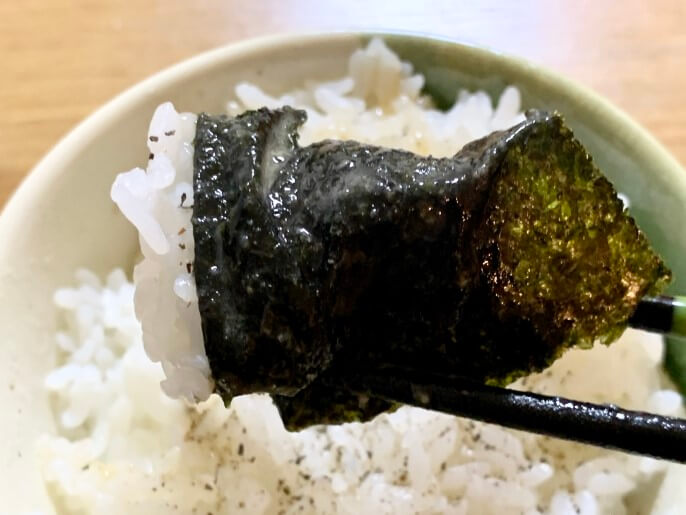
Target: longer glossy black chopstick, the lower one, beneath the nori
{"type": "Point", "coordinates": [600, 425]}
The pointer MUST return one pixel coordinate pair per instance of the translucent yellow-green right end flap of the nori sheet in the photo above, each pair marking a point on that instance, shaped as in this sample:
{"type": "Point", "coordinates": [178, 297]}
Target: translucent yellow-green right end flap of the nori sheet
{"type": "Point", "coordinates": [570, 258]}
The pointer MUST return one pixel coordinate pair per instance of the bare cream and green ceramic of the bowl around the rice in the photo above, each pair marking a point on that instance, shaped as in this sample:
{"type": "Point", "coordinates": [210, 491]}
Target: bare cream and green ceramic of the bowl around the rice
{"type": "Point", "coordinates": [61, 218]}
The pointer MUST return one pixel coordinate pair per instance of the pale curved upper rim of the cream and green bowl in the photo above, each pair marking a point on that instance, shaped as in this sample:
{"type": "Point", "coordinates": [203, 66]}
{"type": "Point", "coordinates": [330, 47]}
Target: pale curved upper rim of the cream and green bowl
{"type": "Point", "coordinates": [42, 173]}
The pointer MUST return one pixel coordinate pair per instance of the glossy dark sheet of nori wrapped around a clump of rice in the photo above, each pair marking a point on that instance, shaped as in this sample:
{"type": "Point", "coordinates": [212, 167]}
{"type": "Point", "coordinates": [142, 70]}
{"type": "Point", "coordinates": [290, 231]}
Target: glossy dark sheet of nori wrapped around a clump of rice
{"type": "Point", "coordinates": [317, 263]}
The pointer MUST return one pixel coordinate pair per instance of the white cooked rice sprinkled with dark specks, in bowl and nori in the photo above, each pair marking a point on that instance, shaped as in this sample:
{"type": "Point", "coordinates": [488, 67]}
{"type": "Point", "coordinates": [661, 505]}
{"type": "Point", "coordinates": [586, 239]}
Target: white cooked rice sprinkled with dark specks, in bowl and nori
{"type": "Point", "coordinates": [126, 447]}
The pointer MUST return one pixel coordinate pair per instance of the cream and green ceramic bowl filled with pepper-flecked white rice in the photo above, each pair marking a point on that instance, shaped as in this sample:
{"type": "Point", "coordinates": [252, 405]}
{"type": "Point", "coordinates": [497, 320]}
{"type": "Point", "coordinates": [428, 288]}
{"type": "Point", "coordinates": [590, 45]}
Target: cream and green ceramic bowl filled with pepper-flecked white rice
{"type": "Point", "coordinates": [88, 428]}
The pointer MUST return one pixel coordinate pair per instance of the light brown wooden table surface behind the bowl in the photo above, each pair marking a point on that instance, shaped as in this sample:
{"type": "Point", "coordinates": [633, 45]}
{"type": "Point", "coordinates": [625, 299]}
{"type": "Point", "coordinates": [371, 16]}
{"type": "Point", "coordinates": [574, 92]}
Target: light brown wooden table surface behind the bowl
{"type": "Point", "coordinates": [61, 59]}
